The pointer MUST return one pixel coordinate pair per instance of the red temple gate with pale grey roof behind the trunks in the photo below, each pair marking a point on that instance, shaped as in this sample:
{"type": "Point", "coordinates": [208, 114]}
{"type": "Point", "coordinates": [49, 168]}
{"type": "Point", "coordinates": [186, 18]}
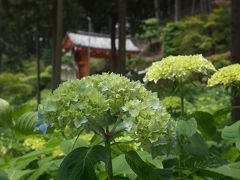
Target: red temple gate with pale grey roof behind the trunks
{"type": "Point", "coordinates": [85, 45]}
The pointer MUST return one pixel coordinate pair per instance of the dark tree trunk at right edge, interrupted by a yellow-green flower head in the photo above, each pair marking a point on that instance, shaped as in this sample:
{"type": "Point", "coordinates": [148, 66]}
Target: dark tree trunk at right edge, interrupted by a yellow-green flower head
{"type": "Point", "coordinates": [235, 55]}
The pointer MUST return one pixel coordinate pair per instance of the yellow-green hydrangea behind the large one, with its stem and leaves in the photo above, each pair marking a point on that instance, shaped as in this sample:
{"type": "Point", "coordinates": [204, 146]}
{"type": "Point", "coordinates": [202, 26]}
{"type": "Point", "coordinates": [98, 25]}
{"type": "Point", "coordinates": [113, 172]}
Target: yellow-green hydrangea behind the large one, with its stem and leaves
{"type": "Point", "coordinates": [179, 70]}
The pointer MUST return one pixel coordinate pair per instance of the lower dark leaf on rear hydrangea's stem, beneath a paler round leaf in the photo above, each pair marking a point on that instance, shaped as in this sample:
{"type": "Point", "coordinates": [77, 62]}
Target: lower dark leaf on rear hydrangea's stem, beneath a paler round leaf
{"type": "Point", "coordinates": [196, 146]}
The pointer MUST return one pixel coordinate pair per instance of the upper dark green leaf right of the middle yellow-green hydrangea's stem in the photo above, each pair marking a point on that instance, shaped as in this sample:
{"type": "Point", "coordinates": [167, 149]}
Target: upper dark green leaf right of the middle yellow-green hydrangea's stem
{"type": "Point", "coordinates": [205, 123]}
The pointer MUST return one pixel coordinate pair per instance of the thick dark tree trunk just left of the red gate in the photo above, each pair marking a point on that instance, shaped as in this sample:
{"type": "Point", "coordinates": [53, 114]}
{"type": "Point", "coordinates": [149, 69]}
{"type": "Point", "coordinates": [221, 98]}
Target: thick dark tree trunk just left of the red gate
{"type": "Point", "coordinates": [57, 42]}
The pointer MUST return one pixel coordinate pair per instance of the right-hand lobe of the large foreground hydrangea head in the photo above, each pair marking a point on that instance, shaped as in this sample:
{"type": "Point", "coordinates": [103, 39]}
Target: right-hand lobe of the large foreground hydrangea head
{"type": "Point", "coordinates": [152, 123]}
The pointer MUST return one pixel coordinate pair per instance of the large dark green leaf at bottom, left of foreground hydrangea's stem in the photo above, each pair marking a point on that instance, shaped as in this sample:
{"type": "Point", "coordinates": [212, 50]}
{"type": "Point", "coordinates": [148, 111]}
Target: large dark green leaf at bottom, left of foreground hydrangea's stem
{"type": "Point", "coordinates": [79, 164]}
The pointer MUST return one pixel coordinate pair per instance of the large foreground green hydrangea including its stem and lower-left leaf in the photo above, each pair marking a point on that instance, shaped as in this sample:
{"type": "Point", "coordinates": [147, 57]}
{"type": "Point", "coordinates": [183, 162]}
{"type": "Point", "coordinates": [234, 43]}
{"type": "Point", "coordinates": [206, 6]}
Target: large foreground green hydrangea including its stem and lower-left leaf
{"type": "Point", "coordinates": [110, 105]}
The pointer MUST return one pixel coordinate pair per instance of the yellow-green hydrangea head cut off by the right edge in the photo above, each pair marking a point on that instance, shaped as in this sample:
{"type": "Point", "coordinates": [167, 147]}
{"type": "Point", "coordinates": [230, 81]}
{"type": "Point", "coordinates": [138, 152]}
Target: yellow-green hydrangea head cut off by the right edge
{"type": "Point", "coordinates": [229, 75]}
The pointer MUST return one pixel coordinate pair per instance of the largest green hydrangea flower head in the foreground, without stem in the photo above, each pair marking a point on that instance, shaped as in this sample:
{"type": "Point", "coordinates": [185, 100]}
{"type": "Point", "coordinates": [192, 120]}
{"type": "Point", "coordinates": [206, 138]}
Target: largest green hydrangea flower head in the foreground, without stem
{"type": "Point", "coordinates": [93, 98]}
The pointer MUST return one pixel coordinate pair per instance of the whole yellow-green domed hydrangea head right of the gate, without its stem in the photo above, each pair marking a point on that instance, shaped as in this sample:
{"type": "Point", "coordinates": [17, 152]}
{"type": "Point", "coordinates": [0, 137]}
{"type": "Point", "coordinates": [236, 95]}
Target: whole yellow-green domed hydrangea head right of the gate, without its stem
{"type": "Point", "coordinates": [178, 68]}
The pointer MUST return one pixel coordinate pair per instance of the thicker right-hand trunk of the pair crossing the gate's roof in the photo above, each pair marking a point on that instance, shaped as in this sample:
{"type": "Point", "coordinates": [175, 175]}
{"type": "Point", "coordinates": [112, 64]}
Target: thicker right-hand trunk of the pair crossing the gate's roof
{"type": "Point", "coordinates": [122, 35]}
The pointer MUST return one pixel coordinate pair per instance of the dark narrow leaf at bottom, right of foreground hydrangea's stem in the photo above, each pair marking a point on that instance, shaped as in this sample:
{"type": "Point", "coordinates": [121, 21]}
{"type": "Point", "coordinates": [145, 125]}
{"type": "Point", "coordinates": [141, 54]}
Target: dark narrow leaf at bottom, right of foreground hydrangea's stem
{"type": "Point", "coordinates": [144, 170]}
